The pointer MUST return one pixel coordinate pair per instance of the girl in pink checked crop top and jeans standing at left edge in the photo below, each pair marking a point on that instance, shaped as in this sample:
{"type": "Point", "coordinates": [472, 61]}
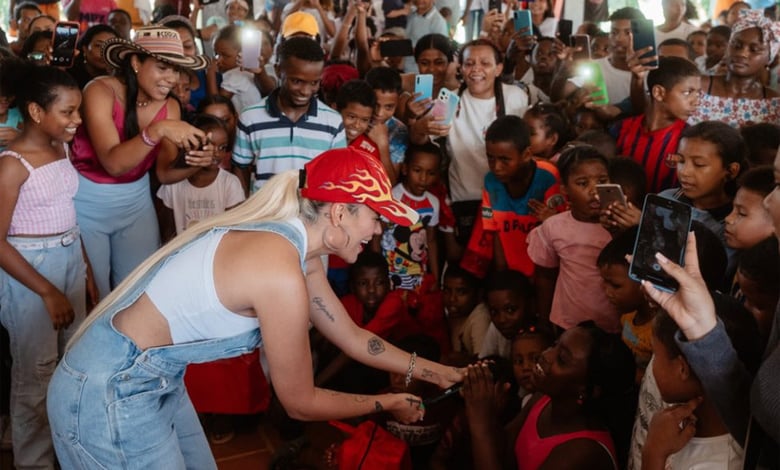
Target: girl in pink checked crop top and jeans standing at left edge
{"type": "Point", "coordinates": [42, 266]}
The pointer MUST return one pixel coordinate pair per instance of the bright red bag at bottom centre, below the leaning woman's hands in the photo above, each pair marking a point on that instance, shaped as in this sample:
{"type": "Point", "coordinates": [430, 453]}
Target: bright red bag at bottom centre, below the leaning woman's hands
{"type": "Point", "coordinates": [369, 447]}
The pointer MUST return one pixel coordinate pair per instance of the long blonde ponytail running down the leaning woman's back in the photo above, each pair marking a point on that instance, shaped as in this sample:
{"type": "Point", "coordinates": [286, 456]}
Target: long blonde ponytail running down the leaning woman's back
{"type": "Point", "coordinates": [279, 199]}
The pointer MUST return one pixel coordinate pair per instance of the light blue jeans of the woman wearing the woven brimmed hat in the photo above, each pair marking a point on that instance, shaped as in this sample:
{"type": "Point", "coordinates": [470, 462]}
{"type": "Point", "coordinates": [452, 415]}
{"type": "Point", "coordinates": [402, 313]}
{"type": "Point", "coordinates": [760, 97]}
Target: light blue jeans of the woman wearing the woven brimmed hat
{"type": "Point", "coordinates": [119, 228]}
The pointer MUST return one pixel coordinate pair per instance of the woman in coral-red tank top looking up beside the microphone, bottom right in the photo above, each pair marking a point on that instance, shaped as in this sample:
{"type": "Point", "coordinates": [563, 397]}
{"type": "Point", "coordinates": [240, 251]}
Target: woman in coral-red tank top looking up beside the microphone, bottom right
{"type": "Point", "coordinates": [574, 421]}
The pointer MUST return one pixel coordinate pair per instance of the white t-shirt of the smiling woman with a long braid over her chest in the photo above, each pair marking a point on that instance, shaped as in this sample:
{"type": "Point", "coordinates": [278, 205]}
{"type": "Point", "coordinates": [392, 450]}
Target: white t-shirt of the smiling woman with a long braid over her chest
{"type": "Point", "coordinates": [466, 141]}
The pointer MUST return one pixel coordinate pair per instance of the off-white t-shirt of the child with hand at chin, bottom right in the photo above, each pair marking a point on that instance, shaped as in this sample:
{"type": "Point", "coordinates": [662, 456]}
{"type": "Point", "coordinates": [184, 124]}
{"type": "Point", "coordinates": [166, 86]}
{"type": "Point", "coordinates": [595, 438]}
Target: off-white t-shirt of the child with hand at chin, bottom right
{"type": "Point", "coordinates": [708, 453]}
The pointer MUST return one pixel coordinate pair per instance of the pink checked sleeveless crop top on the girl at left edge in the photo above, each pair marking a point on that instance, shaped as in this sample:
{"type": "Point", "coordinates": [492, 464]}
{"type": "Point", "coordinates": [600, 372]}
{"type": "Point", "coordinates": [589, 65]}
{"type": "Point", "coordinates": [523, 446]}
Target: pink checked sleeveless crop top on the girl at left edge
{"type": "Point", "coordinates": [45, 204]}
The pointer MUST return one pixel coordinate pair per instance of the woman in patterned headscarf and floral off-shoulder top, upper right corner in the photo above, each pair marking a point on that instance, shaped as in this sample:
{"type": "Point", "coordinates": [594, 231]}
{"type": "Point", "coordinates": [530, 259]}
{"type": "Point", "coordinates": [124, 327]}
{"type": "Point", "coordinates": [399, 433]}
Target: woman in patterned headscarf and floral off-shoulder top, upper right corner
{"type": "Point", "coordinates": [740, 98]}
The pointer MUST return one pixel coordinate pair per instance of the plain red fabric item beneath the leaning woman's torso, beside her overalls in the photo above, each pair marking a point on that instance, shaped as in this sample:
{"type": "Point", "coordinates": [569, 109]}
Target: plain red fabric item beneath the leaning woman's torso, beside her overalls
{"type": "Point", "coordinates": [229, 386]}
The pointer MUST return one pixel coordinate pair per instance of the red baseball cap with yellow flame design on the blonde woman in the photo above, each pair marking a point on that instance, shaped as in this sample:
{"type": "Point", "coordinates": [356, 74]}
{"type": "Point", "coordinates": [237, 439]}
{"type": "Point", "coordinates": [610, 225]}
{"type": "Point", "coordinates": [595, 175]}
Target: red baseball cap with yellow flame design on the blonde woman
{"type": "Point", "coordinates": [350, 176]}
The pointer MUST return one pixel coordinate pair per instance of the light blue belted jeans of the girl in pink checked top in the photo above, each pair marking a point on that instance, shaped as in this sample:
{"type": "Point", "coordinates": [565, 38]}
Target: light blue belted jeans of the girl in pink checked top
{"type": "Point", "coordinates": [35, 345]}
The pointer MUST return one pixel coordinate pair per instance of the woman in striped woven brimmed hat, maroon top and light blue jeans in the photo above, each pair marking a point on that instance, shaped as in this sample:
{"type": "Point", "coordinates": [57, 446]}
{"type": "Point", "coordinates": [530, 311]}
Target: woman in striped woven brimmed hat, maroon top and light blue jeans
{"type": "Point", "coordinates": [130, 126]}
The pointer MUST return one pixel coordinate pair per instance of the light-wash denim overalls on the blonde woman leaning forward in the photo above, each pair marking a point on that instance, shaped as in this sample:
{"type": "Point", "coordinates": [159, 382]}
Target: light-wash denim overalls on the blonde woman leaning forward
{"type": "Point", "coordinates": [113, 406]}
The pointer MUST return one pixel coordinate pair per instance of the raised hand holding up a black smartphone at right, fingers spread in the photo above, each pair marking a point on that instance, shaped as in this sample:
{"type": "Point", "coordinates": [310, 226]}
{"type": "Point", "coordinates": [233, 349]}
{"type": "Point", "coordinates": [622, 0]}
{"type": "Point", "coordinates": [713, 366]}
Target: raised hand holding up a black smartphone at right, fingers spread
{"type": "Point", "coordinates": [691, 306]}
